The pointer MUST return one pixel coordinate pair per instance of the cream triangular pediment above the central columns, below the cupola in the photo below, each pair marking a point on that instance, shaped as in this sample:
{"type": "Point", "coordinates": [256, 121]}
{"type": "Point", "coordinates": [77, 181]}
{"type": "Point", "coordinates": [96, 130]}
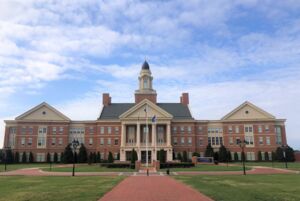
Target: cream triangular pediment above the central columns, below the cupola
{"type": "Point", "coordinates": [138, 111]}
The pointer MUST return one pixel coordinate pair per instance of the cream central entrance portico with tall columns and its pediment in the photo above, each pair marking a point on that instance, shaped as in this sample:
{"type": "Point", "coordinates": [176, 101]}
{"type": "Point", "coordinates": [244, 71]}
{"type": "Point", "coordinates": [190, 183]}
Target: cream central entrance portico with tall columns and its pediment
{"type": "Point", "coordinates": [134, 133]}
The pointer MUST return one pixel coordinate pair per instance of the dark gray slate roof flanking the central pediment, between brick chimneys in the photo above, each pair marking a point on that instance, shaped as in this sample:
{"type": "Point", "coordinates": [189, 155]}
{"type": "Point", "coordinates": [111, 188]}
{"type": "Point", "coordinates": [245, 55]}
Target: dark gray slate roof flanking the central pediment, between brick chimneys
{"type": "Point", "coordinates": [114, 110]}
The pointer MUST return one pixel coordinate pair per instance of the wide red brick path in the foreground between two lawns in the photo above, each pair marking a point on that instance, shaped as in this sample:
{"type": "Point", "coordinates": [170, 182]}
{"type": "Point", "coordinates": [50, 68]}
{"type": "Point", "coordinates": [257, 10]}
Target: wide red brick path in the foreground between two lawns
{"type": "Point", "coordinates": [153, 188]}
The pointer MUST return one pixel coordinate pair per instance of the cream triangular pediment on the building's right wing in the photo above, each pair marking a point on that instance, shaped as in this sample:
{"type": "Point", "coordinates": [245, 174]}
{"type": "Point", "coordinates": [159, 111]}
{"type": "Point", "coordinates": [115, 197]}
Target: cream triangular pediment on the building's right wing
{"type": "Point", "coordinates": [248, 111]}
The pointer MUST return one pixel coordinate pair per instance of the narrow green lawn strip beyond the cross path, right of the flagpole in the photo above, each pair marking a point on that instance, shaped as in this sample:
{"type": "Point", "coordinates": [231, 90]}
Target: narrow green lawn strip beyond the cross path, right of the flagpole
{"type": "Point", "coordinates": [206, 167]}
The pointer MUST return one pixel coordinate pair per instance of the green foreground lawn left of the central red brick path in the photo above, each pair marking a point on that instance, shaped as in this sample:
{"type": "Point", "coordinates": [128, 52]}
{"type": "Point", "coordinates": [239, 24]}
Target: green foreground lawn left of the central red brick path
{"type": "Point", "coordinates": [21, 188]}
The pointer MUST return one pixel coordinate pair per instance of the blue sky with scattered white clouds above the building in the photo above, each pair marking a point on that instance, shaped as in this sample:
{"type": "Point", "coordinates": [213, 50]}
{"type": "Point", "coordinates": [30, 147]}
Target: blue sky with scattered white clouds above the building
{"type": "Point", "coordinates": [223, 53]}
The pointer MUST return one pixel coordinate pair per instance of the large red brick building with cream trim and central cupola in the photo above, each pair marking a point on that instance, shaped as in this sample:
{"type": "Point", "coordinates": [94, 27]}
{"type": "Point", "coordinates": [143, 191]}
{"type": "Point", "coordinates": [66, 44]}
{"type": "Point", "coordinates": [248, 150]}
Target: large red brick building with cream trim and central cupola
{"type": "Point", "coordinates": [123, 126]}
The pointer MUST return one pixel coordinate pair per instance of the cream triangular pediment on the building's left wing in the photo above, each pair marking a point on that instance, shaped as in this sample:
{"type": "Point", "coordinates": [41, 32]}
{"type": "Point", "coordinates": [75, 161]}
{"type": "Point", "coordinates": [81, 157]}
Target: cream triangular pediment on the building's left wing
{"type": "Point", "coordinates": [43, 112]}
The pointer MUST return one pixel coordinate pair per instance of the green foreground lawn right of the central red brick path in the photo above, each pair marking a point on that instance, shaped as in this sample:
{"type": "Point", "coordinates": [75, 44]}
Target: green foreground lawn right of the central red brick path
{"type": "Point", "coordinates": [246, 188]}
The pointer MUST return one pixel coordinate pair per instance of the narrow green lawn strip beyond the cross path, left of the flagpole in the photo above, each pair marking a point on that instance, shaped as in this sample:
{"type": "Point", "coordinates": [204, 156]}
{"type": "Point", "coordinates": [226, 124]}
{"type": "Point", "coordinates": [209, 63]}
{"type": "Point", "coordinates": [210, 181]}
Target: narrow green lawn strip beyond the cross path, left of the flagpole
{"type": "Point", "coordinates": [88, 168]}
